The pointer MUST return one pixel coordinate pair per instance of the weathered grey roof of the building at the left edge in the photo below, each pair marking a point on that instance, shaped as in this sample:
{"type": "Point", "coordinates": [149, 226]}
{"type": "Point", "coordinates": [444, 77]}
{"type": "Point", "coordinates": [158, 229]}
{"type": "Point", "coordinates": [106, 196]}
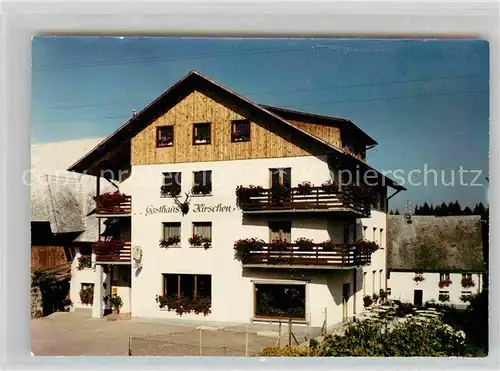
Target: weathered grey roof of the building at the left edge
{"type": "Point", "coordinates": [60, 197]}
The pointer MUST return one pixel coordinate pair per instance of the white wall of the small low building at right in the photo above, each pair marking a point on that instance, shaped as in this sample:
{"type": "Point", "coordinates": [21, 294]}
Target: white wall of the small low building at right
{"type": "Point", "coordinates": [402, 287]}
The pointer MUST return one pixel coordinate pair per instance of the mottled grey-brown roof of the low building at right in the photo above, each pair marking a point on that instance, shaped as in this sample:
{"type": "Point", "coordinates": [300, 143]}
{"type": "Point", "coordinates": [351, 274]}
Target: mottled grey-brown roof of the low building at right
{"type": "Point", "coordinates": [434, 243]}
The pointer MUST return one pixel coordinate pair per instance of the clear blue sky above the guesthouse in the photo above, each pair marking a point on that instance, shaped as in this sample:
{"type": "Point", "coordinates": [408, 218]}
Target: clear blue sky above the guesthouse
{"type": "Point", "coordinates": [425, 102]}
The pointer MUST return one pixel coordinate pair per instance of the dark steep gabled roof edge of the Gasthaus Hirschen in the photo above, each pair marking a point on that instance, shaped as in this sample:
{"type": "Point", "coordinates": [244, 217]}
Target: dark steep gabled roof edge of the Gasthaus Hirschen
{"type": "Point", "coordinates": [119, 140]}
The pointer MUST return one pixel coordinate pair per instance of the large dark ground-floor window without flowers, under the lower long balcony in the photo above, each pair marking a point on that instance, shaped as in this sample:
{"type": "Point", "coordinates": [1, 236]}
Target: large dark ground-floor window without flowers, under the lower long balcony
{"type": "Point", "coordinates": [280, 301]}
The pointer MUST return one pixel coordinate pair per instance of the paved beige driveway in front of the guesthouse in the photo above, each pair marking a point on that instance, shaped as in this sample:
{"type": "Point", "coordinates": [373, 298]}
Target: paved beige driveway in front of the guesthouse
{"type": "Point", "coordinates": [77, 334]}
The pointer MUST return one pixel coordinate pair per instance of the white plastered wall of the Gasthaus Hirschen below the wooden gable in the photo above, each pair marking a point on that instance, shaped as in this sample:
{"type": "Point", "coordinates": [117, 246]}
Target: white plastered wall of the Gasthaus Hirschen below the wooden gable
{"type": "Point", "coordinates": [232, 287]}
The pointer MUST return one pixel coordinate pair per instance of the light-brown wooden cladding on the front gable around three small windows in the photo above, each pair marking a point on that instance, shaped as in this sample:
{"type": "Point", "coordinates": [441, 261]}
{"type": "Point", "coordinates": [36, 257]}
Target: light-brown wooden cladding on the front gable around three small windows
{"type": "Point", "coordinates": [267, 139]}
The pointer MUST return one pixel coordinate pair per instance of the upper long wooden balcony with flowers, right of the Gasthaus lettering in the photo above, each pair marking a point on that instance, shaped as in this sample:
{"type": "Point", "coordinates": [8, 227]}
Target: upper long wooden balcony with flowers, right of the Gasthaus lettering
{"type": "Point", "coordinates": [352, 200]}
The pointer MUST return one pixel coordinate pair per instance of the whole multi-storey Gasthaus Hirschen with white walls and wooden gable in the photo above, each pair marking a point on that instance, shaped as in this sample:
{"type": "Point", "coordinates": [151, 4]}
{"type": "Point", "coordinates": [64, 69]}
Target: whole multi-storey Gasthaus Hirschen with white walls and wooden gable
{"type": "Point", "coordinates": [226, 210]}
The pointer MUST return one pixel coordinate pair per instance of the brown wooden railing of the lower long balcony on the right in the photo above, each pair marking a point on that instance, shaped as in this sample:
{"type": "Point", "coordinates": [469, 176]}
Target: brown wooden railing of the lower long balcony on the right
{"type": "Point", "coordinates": [340, 256]}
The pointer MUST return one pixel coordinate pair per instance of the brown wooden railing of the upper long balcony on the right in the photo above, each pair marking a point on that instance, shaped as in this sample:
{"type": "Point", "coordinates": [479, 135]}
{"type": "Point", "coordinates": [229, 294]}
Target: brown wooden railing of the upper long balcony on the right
{"type": "Point", "coordinates": [318, 199]}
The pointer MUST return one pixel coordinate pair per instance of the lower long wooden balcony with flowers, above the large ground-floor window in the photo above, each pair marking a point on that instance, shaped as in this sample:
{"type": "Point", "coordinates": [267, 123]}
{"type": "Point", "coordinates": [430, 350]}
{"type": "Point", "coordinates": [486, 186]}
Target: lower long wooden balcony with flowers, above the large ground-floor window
{"type": "Point", "coordinates": [324, 255]}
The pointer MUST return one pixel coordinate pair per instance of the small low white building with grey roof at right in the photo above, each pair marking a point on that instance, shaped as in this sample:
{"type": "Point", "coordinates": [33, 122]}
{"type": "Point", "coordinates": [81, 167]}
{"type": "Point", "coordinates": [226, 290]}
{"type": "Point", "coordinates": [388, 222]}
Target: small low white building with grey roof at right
{"type": "Point", "coordinates": [435, 258]}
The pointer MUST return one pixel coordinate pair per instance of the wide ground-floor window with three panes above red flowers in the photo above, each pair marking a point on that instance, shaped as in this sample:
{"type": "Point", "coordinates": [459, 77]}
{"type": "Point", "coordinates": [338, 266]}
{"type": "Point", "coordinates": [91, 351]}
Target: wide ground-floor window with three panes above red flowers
{"type": "Point", "coordinates": [190, 286]}
